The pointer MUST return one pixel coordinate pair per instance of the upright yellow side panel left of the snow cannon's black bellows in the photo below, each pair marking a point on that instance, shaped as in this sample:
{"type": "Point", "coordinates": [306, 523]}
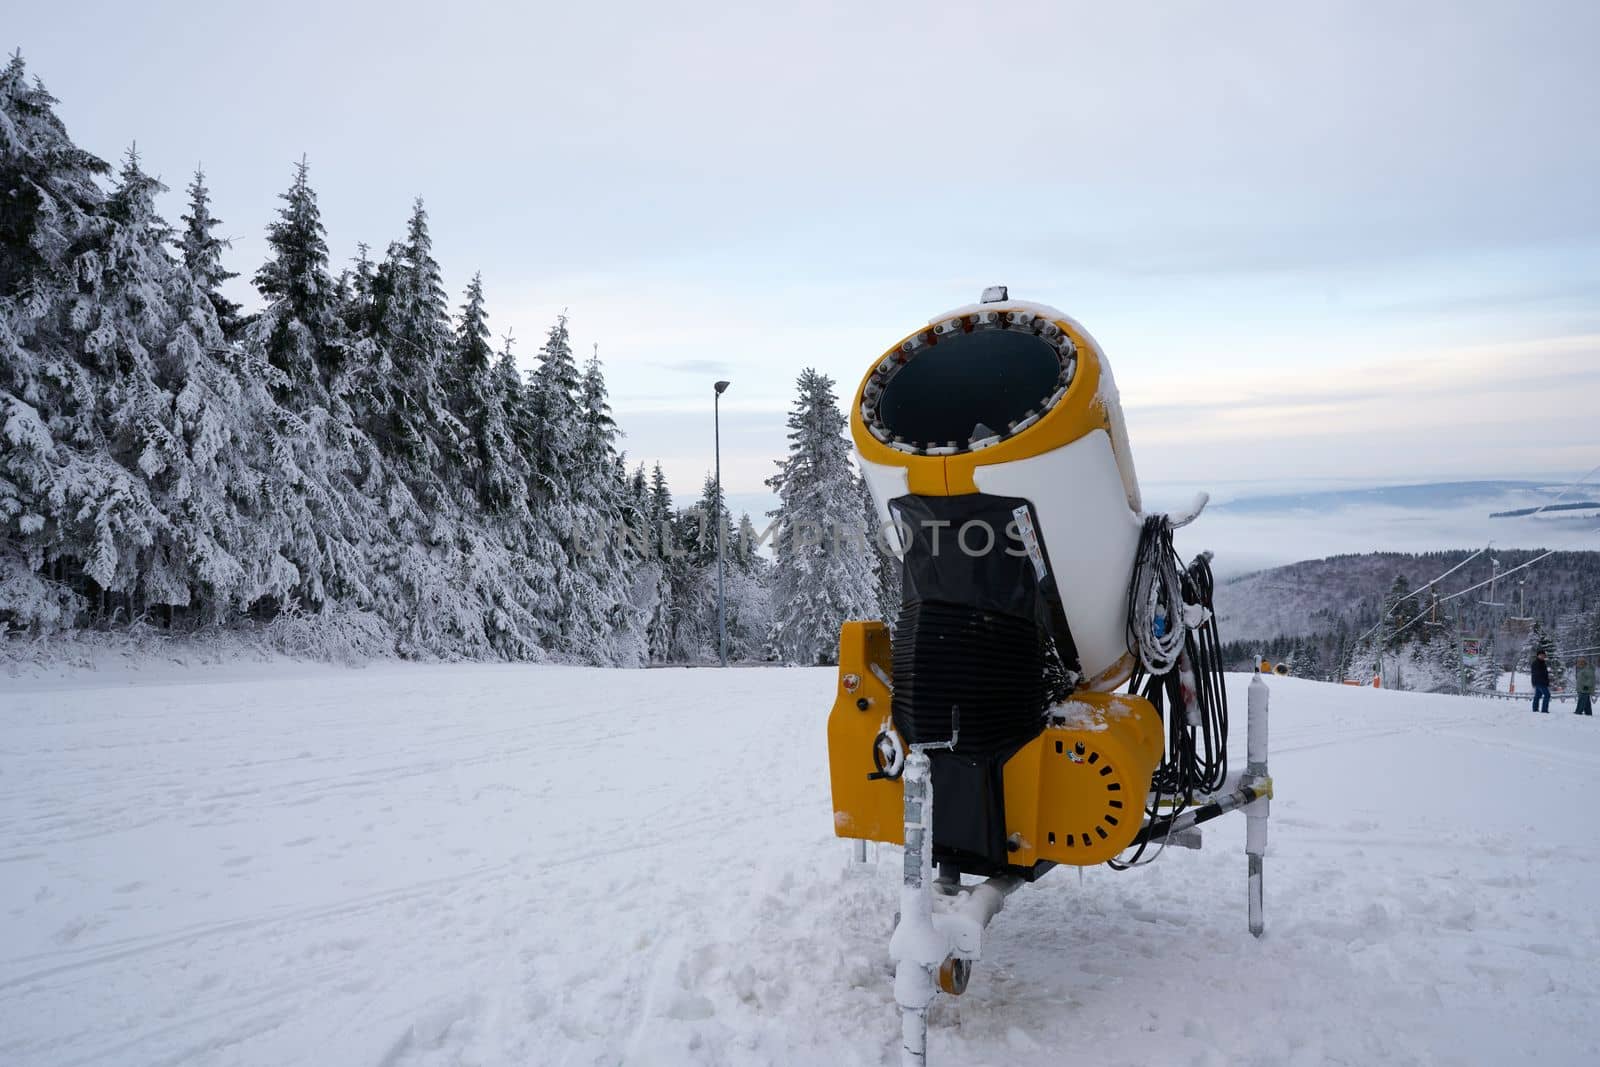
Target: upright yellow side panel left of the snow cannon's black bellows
{"type": "Point", "coordinates": [873, 810]}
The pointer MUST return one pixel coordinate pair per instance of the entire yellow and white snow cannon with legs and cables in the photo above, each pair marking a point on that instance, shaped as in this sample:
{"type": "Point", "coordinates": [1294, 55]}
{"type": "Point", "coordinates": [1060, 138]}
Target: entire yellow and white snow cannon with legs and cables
{"type": "Point", "coordinates": [1034, 588]}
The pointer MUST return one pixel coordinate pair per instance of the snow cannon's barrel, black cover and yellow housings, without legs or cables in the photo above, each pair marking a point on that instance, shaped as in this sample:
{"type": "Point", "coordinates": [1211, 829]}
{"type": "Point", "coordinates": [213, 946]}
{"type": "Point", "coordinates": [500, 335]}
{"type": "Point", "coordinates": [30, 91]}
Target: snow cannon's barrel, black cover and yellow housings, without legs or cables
{"type": "Point", "coordinates": [994, 449]}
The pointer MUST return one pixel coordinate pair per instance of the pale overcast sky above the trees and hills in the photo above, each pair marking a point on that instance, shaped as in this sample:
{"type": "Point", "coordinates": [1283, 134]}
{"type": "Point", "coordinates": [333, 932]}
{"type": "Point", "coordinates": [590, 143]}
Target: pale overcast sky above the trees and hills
{"type": "Point", "coordinates": [1318, 241]}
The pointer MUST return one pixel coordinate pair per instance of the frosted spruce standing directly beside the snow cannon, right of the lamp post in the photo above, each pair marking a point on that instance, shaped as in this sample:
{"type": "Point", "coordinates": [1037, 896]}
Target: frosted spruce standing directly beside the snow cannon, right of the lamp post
{"type": "Point", "coordinates": [823, 569]}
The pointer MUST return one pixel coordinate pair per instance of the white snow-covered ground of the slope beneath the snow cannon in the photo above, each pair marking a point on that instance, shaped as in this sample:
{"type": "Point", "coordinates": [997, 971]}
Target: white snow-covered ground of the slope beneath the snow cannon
{"type": "Point", "coordinates": [498, 865]}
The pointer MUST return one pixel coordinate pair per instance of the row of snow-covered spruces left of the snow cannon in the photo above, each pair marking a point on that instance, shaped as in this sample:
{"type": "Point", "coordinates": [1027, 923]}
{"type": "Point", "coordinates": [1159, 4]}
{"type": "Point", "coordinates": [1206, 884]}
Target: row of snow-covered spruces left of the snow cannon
{"type": "Point", "coordinates": [358, 457]}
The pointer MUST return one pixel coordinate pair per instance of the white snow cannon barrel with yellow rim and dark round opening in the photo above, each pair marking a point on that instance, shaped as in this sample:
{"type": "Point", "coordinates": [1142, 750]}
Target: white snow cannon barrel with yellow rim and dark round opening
{"type": "Point", "coordinates": [999, 406]}
